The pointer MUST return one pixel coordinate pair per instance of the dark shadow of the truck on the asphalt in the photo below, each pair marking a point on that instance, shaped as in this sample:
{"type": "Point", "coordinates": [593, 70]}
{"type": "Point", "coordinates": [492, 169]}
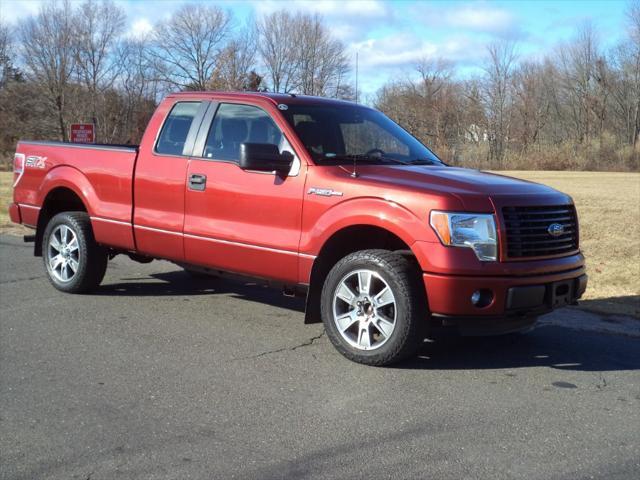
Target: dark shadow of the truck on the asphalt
{"type": "Point", "coordinates": [546, 346]}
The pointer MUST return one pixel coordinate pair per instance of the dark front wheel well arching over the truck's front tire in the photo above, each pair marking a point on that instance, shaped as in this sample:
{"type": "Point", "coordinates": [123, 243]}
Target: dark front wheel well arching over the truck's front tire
{"type": "Point", "coordinates": [339, 245]}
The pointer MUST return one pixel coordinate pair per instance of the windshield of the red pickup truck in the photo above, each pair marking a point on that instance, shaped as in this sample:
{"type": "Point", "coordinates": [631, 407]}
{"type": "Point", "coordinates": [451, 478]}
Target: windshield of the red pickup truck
{"type": "Point", "coordinates": [341, 134]}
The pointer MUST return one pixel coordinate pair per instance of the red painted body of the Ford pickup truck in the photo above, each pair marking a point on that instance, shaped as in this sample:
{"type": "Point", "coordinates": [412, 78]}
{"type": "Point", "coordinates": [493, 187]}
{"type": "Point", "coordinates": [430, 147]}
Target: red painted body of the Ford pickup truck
{"type": "Point", "coordinates": [269, 226]}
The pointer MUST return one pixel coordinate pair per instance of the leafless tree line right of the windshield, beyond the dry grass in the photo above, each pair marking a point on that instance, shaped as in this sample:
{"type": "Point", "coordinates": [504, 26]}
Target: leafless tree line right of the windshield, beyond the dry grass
{"type": "Point", "coordinates": [578, 108]}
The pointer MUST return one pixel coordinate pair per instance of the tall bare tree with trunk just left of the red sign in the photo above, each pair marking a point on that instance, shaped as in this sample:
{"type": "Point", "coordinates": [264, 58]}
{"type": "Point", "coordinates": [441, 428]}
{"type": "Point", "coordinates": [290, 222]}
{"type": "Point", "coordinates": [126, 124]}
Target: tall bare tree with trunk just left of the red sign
{"type": "Point", "coordinates": [48, 54]}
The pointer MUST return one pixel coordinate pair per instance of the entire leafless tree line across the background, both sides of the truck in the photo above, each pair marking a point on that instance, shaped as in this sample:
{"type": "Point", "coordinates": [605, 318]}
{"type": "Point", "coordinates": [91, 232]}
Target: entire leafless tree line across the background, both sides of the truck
{"type": "Point", "coordinates": [578, 108]}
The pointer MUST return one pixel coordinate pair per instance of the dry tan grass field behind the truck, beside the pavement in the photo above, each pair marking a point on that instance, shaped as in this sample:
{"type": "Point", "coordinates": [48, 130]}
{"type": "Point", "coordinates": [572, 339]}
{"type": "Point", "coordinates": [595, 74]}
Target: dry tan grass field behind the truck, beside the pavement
{"type": "Point", "coordinates": [609, 211]}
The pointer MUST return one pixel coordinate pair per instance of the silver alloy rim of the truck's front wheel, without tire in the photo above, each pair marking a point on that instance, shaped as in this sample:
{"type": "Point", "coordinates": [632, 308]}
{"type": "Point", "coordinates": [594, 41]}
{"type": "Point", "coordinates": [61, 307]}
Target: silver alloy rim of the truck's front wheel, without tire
{"type": "Point", "coordinates": [364, 309]}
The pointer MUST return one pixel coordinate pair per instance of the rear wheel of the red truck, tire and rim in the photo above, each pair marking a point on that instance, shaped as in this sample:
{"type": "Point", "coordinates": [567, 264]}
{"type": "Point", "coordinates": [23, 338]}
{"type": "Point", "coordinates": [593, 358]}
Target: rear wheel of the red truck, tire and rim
{"type": "Point", "coordinates": [75, 263]}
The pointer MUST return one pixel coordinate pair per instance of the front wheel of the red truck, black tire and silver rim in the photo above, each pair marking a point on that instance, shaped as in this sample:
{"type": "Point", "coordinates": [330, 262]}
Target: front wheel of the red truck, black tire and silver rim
{"type": "Point", "coordinates": [374, 308]}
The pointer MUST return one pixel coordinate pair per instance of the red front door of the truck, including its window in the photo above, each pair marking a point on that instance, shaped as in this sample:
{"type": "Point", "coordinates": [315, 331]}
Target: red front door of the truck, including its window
{"type": "Point", "coordinates": [242, 221]}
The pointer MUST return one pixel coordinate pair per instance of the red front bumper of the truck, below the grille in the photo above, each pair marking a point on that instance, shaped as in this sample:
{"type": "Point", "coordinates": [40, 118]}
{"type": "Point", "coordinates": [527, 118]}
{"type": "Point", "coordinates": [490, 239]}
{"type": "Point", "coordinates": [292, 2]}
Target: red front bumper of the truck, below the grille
{"type": "Point", "coordinates": [512, 299]}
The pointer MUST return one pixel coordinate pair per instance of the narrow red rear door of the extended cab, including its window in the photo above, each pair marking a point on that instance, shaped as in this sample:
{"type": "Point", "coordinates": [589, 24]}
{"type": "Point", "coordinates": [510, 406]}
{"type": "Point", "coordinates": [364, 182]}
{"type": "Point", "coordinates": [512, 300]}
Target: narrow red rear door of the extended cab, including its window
{"type": "Point", "coordinates": [160, 177]}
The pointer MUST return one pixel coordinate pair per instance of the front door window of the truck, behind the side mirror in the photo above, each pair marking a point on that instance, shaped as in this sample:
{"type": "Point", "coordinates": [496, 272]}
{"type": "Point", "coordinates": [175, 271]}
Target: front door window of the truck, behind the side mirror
{"type": "Point", "coordinates": [234, 125]}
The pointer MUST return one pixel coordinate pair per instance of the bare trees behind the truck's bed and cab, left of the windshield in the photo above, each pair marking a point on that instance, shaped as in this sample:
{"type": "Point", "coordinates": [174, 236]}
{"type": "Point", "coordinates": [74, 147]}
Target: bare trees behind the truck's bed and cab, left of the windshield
{"type": "Point", "coordinates": [72, 62]}
